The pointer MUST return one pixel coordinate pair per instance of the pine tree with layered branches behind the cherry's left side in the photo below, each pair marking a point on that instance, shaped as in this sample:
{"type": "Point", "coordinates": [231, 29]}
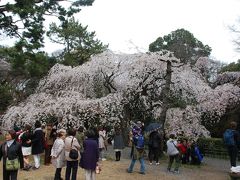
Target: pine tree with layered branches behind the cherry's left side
{"type": "Point", "coordinates": [79, 43]}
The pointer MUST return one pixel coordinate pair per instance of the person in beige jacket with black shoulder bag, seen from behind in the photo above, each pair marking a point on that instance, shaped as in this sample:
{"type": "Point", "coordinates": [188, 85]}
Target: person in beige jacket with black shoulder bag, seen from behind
{"type": "Point", "coordinates": [72, 164]}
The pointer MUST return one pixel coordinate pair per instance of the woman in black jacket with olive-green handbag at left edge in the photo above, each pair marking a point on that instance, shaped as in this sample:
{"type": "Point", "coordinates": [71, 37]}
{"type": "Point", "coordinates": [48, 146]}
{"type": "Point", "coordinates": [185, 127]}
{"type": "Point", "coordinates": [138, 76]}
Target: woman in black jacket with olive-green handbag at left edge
{"type": "Point", "coordinates": [11, 153]}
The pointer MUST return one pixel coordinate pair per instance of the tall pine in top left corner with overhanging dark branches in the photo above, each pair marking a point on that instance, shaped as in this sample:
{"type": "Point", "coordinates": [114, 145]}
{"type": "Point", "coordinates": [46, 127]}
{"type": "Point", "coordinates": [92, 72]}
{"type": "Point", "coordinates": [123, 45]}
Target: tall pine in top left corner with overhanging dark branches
{"type": "Point", "coordinates": [24, 20]}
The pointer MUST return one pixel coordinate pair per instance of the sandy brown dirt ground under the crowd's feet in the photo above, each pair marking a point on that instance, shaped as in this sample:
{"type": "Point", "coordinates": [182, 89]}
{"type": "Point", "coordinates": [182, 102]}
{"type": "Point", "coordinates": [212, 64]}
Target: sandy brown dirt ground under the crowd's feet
{"type": "Point", "coordinates": [213, 169]}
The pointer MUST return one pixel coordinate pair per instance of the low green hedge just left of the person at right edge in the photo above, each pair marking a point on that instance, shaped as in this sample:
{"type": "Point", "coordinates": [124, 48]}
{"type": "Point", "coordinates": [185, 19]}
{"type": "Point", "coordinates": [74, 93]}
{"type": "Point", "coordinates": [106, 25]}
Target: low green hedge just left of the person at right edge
{"type": "Point", "coordinates": [212, 147]}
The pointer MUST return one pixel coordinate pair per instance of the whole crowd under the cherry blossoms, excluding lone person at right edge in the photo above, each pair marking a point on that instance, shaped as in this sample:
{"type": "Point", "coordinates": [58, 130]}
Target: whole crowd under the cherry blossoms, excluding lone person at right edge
{"type": "Point", "coordinates": [72, 148]}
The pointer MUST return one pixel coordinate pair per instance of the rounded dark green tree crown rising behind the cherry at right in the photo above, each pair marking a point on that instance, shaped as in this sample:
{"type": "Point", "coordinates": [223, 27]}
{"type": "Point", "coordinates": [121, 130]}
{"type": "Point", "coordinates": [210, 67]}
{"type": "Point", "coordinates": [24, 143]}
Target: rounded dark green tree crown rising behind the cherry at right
{"type": "Point", "coordinates": [184, 45]}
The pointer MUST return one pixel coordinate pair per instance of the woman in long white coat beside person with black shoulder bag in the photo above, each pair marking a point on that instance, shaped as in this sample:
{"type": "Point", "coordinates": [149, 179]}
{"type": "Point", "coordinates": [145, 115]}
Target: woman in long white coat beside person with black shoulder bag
{"type": "Point", "coordinates": [58, 154]}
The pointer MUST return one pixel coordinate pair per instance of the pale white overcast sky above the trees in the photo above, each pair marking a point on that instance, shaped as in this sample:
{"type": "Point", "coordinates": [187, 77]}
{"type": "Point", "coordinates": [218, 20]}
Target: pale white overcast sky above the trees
{"type": "Point", "coordinates": [131, 25]}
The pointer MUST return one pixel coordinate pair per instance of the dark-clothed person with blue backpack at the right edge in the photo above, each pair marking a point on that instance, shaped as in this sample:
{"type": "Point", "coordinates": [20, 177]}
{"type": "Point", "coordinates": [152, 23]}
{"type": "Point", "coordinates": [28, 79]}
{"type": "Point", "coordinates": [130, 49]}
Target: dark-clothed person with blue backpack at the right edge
{"type": "Point", "coordinates": [231, 140]}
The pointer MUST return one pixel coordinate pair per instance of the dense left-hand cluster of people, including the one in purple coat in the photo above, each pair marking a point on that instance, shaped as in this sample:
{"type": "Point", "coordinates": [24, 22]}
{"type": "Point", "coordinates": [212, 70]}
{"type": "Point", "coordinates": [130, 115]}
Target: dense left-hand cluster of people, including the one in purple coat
{"type": "Point", "coordinates": [69, 148]}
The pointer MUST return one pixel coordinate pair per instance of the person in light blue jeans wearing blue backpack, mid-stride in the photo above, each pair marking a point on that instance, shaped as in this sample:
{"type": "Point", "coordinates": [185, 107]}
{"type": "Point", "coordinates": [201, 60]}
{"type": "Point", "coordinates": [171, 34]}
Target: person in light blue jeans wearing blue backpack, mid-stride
{"type": "Point", "coordinates": [138, 150]}
